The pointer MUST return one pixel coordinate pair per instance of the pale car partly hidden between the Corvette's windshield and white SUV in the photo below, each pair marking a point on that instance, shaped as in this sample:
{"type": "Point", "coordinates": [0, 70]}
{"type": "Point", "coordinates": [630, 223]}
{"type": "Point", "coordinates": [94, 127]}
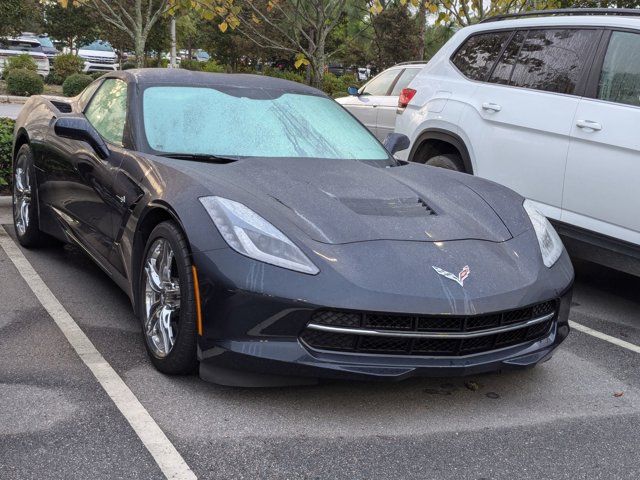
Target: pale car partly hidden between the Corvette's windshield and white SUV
{"type": "Point", "coordinates": [375, 103]}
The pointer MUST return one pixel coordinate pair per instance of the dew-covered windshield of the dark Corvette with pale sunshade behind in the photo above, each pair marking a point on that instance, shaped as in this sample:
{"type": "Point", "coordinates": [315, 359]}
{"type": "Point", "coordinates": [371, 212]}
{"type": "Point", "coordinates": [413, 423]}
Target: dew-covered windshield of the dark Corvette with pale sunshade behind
{"type": "Point", "coordinates": [243, 122]}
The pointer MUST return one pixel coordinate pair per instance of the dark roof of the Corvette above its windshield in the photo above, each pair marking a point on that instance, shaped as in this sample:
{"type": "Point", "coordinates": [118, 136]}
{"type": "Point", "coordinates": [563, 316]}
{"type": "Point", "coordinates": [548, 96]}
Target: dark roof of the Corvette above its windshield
{"type": "Point", "coordinates": [179, 76]}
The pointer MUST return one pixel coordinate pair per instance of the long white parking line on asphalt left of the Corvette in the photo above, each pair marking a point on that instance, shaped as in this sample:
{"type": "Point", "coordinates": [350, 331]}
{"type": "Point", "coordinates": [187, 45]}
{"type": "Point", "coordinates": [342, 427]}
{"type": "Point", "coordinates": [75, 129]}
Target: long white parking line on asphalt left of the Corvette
{"type": "Point", "coordinates": [164, 453]}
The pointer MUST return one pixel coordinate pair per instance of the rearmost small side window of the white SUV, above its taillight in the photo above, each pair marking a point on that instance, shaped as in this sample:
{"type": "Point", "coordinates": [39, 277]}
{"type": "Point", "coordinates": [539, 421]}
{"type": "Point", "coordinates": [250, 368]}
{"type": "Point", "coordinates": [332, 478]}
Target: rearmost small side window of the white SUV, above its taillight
{"type": "Point", "coordinates": [476, 57]}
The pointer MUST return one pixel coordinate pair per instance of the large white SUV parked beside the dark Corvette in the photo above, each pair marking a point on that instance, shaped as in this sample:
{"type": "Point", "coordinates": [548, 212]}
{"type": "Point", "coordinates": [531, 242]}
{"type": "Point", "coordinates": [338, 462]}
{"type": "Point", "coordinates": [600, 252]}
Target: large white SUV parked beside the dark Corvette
{"type": "Point", "coordinates": [549, 106]}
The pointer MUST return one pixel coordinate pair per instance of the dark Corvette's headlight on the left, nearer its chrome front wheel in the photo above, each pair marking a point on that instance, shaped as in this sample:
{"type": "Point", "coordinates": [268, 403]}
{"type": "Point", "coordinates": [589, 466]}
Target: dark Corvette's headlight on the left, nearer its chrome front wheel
{"type": "Point", "coordinates": [251, 235]}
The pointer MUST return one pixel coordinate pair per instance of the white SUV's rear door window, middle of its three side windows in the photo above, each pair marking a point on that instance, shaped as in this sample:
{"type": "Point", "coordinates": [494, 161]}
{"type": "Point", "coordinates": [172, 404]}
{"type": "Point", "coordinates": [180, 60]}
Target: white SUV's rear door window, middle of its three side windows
{"type": "Point", "coordinates": [553, 60]}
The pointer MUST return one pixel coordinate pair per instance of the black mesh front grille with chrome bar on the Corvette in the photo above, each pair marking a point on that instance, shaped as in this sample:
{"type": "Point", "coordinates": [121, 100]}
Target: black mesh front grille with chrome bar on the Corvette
{"type": "Point", "coordinates": [390, 324]}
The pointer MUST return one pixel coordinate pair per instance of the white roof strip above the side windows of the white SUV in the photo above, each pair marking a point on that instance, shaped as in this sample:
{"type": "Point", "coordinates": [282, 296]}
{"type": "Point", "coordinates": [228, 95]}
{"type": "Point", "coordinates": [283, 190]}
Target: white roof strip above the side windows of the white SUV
{"type": "Point", "coordinates": [558, 21]}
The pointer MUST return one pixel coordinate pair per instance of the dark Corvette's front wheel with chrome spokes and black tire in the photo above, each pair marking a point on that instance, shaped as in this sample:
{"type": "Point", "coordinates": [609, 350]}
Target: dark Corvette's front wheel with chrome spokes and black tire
{"type": "Point", "coordinates": [167, 301]}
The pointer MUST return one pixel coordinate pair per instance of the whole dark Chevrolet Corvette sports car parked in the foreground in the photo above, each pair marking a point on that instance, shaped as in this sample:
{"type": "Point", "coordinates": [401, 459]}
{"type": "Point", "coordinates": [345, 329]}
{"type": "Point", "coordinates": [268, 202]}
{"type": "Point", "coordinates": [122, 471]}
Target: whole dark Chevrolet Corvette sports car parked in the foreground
{"type": "Point", "coordinates": [264, 235]}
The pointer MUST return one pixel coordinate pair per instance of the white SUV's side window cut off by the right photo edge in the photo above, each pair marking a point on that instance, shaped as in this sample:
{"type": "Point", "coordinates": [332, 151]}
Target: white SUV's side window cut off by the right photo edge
{"type": "Point", "coordinates": [620, 77]}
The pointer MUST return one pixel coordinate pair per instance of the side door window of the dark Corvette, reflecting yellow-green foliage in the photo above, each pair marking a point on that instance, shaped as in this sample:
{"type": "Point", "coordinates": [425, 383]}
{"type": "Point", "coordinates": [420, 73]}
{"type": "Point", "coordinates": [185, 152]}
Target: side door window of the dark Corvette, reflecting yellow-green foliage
{"type": "Point", "coordinates": [107, 111]}
